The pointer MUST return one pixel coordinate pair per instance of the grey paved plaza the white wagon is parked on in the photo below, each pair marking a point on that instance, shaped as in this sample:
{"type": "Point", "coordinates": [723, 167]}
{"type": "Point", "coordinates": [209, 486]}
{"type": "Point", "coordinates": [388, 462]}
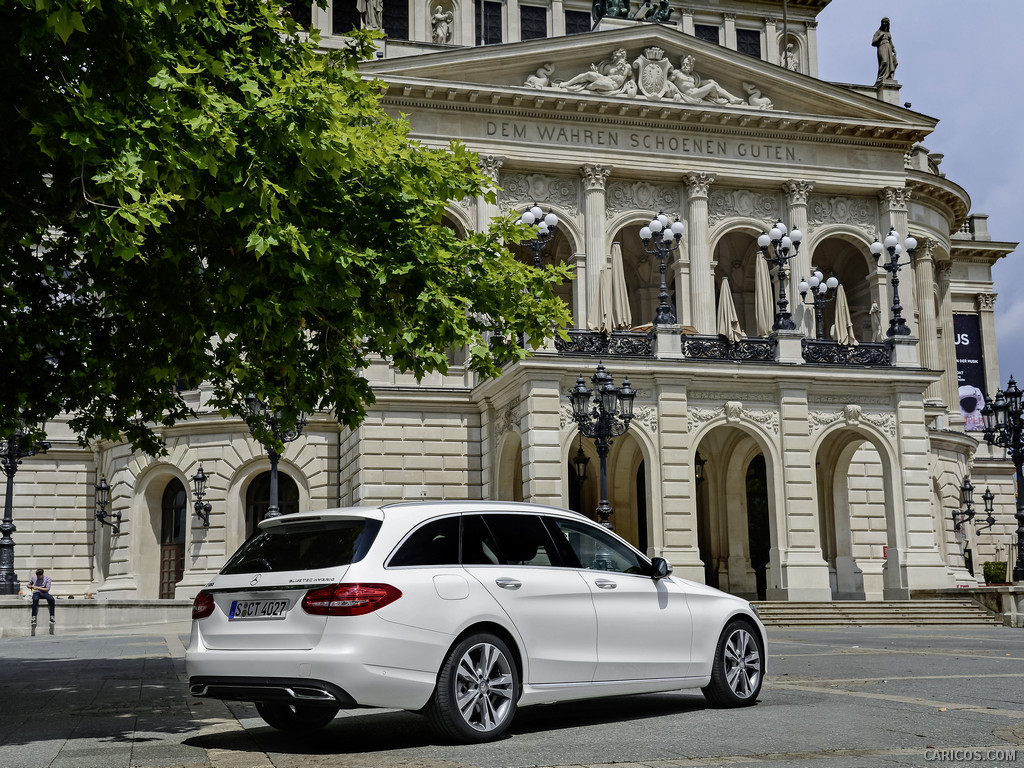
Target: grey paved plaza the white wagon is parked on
{"type": "Point", "coordinates": [844, 699]}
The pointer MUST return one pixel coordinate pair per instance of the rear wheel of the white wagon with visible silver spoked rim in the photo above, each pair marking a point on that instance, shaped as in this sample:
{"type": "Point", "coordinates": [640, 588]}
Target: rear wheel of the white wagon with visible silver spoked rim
{"type": "Point", "coordinates": [478, 691]}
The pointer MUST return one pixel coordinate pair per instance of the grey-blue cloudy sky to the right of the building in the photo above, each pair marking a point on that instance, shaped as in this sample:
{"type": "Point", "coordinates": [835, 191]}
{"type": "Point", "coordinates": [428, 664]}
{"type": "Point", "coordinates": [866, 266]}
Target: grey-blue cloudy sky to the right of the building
{"type": "Point", "coordinates": [959, 62]}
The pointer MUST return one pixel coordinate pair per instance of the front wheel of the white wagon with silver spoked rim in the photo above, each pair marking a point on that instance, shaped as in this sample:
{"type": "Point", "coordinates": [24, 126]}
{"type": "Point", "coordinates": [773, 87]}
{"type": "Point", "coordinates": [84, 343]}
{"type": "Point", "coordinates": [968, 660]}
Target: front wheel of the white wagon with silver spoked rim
{"type": "Point", "coordinates": [739, 667]}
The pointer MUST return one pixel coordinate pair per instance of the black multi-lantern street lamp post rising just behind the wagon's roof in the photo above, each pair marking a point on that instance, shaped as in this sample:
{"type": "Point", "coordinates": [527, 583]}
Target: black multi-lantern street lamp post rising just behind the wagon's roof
{"type": "Point", "coordinates": [603, 415]}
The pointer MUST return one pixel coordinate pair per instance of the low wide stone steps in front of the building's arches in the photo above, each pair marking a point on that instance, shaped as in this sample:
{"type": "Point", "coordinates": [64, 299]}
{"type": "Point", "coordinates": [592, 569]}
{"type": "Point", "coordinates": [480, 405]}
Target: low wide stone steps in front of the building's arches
{"type": "Point", "coordinates": [943, 612]}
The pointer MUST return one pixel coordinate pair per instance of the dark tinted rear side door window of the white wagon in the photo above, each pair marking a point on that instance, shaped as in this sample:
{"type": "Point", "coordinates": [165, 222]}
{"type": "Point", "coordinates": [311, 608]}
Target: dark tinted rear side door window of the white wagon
{"type": "Point", "coordinates": [507, 540]}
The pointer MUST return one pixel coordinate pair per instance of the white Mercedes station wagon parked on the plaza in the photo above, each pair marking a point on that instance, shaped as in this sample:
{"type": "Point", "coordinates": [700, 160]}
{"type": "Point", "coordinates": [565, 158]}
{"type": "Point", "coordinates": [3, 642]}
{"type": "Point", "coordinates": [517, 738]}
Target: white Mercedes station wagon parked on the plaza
{"type": "Point", "coordinates": [463, 612]}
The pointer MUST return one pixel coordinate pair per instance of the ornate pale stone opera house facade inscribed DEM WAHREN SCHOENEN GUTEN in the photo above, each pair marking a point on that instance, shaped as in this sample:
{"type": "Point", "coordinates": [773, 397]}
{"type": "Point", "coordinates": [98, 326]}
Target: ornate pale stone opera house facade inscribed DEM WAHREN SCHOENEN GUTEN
{"type": "Point", "coordinates": [831, 472]}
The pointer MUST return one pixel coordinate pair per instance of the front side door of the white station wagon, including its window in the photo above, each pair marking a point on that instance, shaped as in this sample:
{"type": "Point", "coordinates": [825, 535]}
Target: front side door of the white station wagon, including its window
{"type": "Point", "coordinates": [644, 626]}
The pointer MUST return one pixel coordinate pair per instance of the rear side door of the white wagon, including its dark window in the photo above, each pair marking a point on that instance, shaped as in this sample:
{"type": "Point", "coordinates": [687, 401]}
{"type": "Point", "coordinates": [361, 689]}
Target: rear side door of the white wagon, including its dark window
{"type": "Point", "coordinates": [515, 558]}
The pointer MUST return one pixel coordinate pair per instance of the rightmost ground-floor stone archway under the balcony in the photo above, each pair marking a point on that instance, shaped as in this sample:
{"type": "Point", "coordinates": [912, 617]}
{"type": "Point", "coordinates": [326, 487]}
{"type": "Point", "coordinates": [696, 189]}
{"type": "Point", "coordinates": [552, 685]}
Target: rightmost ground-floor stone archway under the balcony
{"type": "Point", "coordinates": [861, 516]}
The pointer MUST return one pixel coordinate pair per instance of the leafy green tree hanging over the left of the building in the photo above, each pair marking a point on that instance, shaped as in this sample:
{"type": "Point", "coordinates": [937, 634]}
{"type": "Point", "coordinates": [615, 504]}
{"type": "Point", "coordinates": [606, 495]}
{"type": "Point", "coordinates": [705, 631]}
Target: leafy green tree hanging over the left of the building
{"type": "Point", "coordinates": [190, 191]}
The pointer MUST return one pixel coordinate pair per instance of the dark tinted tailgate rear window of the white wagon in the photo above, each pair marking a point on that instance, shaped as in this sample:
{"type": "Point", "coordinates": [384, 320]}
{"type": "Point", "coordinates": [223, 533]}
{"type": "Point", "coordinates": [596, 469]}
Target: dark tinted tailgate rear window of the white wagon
{"type": "Point", "coordinates": [305, 546]}
